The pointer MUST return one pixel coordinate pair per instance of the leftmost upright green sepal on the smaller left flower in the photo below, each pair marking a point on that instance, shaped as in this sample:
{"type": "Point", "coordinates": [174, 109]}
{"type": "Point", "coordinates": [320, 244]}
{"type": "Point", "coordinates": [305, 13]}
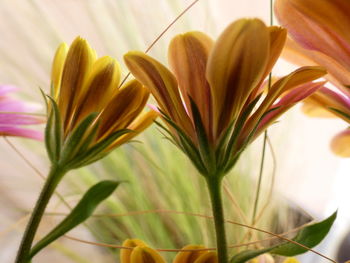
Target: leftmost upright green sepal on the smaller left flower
{"type": "Point", "coordinates": [54, 133]}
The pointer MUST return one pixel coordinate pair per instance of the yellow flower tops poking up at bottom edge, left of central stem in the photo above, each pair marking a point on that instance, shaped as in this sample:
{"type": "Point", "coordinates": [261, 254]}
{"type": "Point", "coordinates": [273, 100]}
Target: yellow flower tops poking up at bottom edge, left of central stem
{"type": "Point", "coordinates": [141, 253]}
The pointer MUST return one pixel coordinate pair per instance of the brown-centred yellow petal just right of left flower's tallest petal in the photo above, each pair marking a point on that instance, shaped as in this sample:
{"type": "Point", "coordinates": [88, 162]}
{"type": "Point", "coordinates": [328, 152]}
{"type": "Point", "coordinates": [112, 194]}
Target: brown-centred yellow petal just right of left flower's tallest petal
{"type": "Point", "coordinates": [101, 84]}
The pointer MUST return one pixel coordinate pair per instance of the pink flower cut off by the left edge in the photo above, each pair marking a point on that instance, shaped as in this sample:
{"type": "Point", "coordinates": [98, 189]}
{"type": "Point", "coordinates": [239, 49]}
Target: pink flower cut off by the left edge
{"type": "Point", "coordinates": [15, 113]}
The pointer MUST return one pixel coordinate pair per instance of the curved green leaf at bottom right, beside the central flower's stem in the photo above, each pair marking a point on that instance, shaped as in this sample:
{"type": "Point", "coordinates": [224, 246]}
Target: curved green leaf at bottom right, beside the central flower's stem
{"type": "Point", "coordinates": [309, 236]}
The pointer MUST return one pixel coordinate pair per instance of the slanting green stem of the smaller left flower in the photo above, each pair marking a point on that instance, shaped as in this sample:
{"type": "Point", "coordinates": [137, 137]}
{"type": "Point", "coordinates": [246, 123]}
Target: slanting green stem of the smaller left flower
{"type": "Point", "coordinates": [50, 185]}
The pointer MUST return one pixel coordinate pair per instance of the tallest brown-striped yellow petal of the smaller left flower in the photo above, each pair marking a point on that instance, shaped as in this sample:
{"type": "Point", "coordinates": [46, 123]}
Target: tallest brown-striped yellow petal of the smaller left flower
{"type": "Point", "coordinates": [76, 68]}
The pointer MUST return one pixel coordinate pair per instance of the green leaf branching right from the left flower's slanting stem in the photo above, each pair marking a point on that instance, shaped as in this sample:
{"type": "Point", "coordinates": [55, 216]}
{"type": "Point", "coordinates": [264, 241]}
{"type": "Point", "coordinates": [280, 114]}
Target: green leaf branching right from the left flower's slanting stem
{"type": "Point", "coordinates": [82, 211]}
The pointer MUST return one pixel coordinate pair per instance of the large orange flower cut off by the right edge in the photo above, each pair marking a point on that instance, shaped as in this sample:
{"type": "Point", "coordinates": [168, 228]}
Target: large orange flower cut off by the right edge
{"type": "Point", "coordinates": [320, 36]}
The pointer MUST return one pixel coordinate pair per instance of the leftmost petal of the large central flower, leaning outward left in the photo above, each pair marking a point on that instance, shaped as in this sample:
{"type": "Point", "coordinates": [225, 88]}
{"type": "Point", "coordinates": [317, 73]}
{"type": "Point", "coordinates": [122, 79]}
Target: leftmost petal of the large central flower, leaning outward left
{"type": "Point", "coordinates": [162, 85]}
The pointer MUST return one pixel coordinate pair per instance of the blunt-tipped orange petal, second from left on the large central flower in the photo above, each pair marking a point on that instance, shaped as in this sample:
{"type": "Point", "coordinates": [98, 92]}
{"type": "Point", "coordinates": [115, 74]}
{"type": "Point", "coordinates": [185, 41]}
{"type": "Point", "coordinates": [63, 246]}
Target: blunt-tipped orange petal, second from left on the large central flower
{"type": "Point", "coordinates": [188, 55]}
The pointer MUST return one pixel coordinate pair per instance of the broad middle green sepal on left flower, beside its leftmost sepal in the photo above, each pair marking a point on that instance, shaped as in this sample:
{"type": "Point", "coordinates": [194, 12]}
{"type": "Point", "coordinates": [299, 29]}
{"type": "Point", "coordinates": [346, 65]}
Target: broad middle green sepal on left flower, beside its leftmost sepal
{"type": "Point", "coordinates": [74, 141]}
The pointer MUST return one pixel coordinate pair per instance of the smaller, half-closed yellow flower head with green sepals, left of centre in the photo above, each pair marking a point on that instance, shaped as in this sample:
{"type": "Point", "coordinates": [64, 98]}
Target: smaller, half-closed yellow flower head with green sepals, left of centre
{"type": "Point", "coordinates": [91, 114]}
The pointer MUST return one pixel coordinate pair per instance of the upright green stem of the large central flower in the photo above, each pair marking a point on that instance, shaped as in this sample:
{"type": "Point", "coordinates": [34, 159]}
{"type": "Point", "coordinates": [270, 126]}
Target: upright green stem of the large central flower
{"type": "Point", "coordinates": [214, 186]}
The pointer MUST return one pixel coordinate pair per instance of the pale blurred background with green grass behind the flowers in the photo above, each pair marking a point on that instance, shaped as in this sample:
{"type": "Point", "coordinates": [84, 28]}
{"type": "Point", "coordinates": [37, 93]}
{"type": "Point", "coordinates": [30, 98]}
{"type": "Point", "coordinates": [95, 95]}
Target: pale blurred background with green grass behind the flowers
{"type": "Point", "coordinates": [306, 176]}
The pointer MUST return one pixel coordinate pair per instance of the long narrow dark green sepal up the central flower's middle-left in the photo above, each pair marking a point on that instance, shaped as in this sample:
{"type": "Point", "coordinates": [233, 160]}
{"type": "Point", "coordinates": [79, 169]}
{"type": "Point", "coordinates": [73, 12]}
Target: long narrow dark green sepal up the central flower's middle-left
{"type": "Point", "coordinates": [205, 149]}
